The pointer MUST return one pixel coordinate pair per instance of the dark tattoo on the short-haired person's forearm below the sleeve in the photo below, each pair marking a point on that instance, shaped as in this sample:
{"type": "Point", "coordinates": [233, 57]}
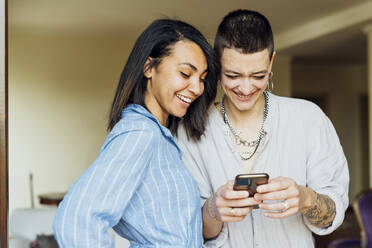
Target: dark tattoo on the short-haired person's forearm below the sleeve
{"type": "Point", "coordinates": [322, 213]}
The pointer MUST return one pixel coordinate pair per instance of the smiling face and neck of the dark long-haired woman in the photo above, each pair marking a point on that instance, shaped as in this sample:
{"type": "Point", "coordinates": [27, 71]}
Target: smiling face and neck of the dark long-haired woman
{"type": "Point", "coordinates": [176, 82]}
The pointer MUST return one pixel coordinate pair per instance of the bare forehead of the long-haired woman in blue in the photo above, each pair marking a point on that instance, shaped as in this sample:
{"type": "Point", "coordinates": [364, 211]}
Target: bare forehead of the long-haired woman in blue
{"type": "Point", "coordinates": [187, 52]}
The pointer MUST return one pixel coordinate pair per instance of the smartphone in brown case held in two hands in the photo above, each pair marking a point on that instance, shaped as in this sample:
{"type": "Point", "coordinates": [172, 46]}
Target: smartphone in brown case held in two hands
{"type": "Point", "coordinates": [250, 182]}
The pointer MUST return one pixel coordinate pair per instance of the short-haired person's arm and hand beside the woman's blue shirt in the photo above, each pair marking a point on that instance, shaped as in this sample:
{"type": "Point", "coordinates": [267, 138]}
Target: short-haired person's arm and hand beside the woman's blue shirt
{"type": "Point", "coordinates": [216, 205]}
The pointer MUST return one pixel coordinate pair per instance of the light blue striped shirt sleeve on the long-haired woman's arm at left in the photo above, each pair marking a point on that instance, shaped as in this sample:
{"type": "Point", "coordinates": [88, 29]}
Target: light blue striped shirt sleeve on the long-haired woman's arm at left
{"type": "Point", "coordinates": [97, 200]}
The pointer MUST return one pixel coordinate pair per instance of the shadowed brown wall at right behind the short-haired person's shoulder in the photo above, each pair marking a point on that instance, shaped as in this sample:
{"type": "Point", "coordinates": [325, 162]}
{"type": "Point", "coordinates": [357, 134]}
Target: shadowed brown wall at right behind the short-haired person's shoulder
{"type": "Point", "coordinates": [343, 84]}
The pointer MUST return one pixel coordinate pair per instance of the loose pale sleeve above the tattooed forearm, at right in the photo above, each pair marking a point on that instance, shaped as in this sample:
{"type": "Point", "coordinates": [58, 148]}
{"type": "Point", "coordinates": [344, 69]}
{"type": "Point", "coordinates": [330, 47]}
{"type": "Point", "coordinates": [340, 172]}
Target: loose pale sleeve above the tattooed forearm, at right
{"type": "Point", "coordinates": [327, 170]}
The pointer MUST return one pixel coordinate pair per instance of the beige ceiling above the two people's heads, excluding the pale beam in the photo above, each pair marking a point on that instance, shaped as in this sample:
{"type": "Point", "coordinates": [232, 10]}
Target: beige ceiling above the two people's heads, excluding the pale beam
{"type": "Point", "coordinates": [129, 18]}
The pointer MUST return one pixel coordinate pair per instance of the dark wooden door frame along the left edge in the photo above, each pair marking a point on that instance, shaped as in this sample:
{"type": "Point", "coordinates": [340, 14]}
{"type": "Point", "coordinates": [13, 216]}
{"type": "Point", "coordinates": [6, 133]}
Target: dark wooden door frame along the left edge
{"type": "Point", "coordinates": [4, 124]}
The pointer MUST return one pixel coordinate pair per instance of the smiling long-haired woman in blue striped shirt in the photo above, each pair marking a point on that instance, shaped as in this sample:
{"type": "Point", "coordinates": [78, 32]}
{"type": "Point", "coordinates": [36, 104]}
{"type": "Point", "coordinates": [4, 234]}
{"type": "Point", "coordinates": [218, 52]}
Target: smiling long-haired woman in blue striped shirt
{"type": "Point", "coordinates": [139, 185]}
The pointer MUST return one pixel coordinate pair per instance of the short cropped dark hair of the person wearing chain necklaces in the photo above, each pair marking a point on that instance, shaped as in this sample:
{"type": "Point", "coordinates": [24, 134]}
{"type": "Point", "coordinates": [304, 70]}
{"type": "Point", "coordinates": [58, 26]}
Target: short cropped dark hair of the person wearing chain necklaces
{"type": "Point", "coordinates": [246, 30]}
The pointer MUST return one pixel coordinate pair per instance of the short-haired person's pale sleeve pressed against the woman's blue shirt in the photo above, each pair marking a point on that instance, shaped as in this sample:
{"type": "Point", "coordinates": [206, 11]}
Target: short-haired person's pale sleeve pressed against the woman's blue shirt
{"type": "Point", "coordinates": [191, 156]}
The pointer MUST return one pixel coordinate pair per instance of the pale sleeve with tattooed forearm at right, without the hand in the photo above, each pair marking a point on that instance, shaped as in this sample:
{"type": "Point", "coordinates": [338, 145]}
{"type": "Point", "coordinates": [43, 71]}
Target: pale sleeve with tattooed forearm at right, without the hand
{"type": "Point", "coordinates": [328, 176]}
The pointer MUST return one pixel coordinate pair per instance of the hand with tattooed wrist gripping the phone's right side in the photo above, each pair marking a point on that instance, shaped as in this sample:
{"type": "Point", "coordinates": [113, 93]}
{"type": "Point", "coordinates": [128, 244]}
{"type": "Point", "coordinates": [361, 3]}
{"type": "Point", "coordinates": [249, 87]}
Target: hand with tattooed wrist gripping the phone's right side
{"type": "Point", "coordinates": [319, 209]}
